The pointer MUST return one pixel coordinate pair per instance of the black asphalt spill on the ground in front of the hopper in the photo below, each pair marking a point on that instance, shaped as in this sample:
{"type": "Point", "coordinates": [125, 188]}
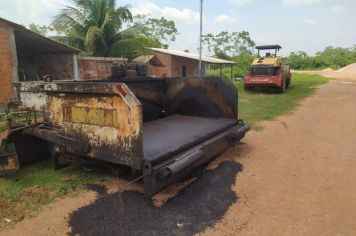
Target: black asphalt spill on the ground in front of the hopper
{"type": "Point", "coordinates": [192, 210]}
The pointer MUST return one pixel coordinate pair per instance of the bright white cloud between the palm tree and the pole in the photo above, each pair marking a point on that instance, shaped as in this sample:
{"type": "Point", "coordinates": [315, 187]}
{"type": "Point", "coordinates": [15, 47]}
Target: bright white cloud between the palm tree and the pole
{"type": "Point", "coordinates": [147, 7]}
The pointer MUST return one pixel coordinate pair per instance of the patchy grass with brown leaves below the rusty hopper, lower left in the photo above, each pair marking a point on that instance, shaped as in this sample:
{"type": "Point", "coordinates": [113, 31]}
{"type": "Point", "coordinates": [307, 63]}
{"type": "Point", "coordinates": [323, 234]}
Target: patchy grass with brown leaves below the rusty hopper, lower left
{"type": "Point", "coordinates": [22, 195]}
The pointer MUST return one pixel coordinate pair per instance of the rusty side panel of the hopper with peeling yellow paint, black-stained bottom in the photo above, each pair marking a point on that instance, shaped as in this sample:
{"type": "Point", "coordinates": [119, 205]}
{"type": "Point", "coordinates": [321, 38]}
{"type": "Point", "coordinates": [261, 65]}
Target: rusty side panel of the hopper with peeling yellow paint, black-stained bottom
{"type": "Point", "coordinates": [110, 122]}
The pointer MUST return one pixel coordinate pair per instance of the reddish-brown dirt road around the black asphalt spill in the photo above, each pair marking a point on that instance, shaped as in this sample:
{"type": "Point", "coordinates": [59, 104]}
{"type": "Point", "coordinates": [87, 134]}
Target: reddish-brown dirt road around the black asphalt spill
{"type": "Point", "coordinates": [297, 179]}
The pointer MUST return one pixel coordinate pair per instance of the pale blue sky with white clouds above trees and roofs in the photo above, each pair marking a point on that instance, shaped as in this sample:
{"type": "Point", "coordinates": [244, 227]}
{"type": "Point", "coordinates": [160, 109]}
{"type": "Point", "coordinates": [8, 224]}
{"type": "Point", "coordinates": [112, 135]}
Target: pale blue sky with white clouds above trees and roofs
{"type": "Point", "coordinates": [297, 25]}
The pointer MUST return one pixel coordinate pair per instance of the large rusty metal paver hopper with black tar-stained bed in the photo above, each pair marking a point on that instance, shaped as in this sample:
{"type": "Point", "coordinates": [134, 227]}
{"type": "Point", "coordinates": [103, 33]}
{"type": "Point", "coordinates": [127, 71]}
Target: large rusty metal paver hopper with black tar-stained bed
{"type": "Point", "coordinates": [162, 128]}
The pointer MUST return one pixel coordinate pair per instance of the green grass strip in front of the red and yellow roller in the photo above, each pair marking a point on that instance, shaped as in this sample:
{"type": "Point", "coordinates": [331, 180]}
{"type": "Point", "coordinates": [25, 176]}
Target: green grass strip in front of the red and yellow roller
{"type": "Point", "coordinates": [260, 105]}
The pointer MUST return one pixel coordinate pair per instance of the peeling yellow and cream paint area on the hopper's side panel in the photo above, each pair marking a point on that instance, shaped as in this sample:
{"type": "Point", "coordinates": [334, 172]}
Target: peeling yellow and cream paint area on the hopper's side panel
{"type": "Point", "coordinates": [103, 120]}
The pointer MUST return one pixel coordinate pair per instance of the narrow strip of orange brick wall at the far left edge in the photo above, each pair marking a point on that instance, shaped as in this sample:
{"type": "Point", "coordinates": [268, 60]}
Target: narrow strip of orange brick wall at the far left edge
{"type": "Point", "coordinates": [5, 64]}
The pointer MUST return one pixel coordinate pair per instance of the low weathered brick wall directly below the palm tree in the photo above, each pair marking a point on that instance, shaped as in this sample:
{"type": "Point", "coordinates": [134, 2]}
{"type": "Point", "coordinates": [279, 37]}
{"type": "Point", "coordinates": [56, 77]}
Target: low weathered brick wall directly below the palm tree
{"type": "Point", "coordinates": [92, 68]}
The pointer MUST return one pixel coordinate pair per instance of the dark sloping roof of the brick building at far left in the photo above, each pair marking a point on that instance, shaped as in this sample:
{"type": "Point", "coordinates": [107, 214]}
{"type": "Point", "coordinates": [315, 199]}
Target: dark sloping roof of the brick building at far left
{"type": "Point", "coordinates": [34, 40]}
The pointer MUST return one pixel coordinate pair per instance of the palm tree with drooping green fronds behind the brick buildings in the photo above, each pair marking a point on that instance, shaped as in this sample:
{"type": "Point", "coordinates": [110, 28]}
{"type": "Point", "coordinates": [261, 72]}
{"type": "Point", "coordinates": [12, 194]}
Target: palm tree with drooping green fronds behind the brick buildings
{"type": "Point", "coordinates": [94, 26]}
